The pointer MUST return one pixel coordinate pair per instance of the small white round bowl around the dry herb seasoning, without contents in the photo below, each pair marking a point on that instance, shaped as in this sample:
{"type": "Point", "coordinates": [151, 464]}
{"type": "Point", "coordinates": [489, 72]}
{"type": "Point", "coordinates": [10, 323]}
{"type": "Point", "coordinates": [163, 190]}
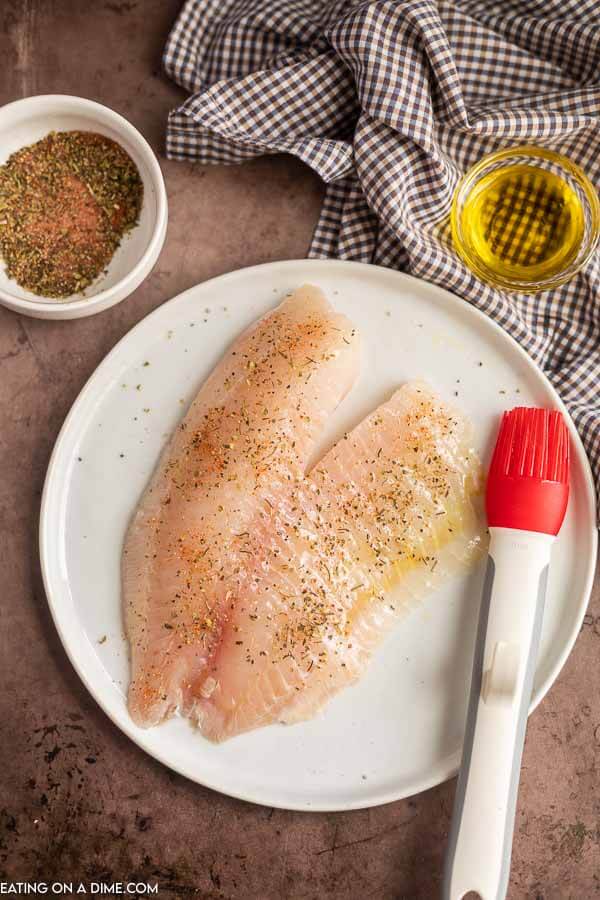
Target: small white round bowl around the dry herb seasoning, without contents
{"type": "Point", "coordinates": [26, 121]}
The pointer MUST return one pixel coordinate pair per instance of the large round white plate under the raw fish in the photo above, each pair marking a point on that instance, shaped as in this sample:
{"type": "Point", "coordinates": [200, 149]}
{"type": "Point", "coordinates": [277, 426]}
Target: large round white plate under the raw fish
{"type": "Point", "coordinates": [399, 731]}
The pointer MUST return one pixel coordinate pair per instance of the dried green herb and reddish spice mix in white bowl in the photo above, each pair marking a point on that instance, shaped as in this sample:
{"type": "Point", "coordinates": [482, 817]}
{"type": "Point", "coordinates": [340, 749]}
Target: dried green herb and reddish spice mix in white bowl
{"type": "Point", "coordinates": [65, 204]}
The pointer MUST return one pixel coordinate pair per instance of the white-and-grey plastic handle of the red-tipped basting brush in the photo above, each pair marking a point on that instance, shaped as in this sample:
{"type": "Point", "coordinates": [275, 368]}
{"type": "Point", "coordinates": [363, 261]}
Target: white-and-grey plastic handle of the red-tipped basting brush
{"type": "Point", "coordinates": [510, 621]}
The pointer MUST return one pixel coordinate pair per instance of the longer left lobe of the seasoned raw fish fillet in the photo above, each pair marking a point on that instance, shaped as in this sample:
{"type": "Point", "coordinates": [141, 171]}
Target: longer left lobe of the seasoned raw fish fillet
{"type": "Point", "coordinates": [188, 571]}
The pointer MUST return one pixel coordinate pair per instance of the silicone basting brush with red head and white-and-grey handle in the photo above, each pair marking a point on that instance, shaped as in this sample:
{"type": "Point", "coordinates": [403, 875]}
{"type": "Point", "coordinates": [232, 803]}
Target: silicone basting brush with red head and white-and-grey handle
{"type": "Point", "coordinates": [526, 499]}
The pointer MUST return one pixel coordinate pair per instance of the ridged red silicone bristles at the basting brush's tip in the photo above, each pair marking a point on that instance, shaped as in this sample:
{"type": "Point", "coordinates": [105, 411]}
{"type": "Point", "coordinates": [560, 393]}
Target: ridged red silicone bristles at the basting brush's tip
{"type": "Point", "coordinates": [532, 443]}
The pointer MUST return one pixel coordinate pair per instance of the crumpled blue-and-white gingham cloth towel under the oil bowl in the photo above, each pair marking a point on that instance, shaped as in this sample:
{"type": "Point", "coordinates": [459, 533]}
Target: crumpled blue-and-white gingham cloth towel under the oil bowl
{"type": "Point", "coordinates": [390, 101]}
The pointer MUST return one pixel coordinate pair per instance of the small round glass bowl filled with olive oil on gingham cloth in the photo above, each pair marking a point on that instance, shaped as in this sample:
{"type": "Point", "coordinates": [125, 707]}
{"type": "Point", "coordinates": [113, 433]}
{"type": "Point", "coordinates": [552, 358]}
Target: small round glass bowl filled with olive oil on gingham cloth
{"type": "Point", "coordinates": [525, 219]}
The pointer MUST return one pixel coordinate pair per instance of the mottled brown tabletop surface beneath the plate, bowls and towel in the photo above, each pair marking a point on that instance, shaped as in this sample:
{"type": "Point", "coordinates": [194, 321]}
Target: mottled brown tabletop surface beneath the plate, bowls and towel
{"type": "Point", "coordinates": [77, 799]}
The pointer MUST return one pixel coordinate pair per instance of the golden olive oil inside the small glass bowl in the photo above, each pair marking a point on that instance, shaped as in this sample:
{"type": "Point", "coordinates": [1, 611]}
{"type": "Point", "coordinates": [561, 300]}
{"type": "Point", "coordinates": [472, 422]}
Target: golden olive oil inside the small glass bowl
{"type": "Point", "coordinates": [522, 222]}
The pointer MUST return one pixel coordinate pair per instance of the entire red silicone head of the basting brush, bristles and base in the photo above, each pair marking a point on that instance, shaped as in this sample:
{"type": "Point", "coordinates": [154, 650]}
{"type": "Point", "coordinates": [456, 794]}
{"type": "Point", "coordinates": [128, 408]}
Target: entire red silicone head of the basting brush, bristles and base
{"type": "Point", "coordinates": [528, 481]}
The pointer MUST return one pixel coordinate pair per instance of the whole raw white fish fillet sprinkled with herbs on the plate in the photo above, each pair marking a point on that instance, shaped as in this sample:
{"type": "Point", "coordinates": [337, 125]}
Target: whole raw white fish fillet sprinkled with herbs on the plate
{"type": "Point", "coordinates": [253, 590]}
